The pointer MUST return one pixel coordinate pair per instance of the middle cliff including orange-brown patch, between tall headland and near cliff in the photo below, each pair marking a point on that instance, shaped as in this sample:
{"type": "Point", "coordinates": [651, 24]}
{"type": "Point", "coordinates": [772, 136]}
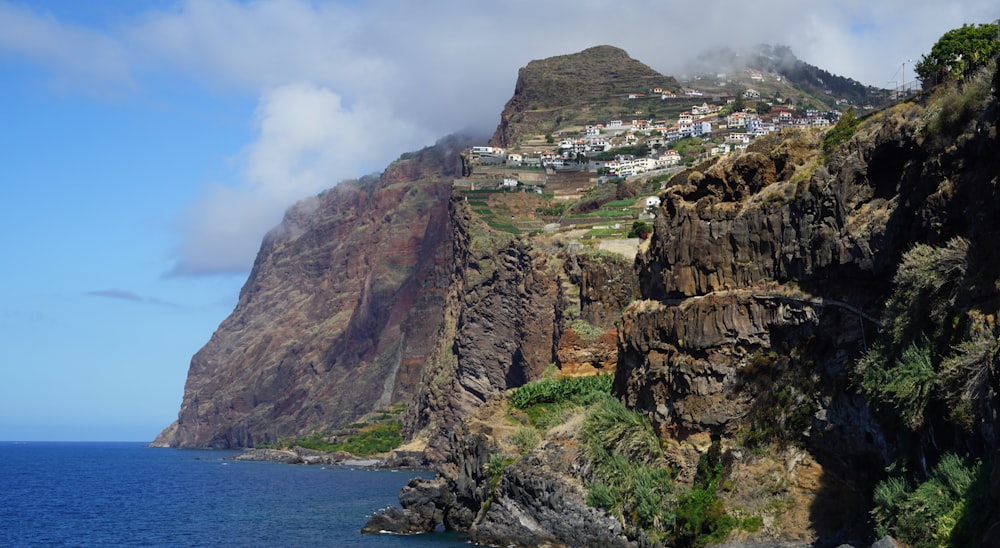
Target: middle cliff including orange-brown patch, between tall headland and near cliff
{"type": "Point", "coordinates": [505, 323]}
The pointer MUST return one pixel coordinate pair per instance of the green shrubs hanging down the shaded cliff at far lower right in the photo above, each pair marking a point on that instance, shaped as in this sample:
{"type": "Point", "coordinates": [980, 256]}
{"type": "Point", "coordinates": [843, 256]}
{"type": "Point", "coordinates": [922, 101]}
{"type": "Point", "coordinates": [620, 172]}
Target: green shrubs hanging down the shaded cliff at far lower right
{"type": "Point", "coordinates": [929, 371]}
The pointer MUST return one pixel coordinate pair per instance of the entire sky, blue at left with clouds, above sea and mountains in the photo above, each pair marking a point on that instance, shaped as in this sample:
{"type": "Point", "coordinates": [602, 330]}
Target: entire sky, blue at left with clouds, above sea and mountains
{"type": "Point", "coordinates": [146, 146]}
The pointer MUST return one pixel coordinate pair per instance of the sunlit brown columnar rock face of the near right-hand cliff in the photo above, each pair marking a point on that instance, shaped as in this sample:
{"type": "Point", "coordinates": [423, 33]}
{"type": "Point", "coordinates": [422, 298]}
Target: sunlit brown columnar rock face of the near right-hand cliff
{"type": "Point", "coordinates": [756, 253]}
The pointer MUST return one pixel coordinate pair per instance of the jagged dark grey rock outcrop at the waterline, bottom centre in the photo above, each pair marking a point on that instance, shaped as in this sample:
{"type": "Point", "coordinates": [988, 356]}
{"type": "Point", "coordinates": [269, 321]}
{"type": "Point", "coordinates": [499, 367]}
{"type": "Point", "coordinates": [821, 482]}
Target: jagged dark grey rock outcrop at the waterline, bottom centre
{"type": "Point", "coordinates": [539, 499]}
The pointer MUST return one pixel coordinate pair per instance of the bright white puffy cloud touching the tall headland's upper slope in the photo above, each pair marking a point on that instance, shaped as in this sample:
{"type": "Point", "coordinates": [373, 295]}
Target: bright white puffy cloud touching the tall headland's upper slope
{"type": "Point", "coordinates": [307, 141]}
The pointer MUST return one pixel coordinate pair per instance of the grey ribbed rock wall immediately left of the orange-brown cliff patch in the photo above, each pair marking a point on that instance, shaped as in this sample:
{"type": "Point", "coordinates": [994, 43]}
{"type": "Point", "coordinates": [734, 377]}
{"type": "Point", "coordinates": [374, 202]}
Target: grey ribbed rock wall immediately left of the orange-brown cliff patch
{"type": "Point", "coordinates": [499, 330]}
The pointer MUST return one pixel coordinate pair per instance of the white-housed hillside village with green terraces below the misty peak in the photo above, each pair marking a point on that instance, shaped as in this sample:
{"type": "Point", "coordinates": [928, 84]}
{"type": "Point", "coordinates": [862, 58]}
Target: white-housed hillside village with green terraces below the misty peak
{"type": "Point", "coordinates": [572, 171]}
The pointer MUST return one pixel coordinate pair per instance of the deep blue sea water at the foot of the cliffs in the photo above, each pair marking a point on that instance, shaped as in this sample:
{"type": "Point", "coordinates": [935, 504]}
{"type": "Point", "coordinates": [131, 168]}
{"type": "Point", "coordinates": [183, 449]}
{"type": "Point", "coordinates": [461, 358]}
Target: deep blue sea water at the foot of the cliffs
{"type": "Point", "coordinates": [126, 494]}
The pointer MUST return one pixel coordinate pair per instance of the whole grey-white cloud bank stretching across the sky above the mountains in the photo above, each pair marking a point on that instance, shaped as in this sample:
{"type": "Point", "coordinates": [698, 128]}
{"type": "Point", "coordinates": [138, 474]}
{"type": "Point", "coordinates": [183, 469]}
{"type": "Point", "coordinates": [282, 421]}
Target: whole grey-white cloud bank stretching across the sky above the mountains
{"type": "Point", "coordinates": [343, 87]}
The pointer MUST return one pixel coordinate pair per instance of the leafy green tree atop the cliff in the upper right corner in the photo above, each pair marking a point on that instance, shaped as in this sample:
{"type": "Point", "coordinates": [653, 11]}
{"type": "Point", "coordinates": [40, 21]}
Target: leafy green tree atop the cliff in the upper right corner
{"type": "Point", "coordinates": [957, 52]}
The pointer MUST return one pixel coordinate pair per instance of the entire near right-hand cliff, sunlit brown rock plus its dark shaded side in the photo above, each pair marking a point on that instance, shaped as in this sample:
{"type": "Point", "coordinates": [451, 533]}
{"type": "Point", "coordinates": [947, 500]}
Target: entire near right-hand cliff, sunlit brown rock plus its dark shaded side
{"type": "Point", "coordinates": [770, 276]}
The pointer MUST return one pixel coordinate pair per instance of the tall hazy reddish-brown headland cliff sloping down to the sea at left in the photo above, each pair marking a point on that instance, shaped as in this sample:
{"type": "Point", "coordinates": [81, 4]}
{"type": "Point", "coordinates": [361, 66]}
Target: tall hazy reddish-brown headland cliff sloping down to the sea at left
{"type": "Point", "coordinates": [338, 314]}
